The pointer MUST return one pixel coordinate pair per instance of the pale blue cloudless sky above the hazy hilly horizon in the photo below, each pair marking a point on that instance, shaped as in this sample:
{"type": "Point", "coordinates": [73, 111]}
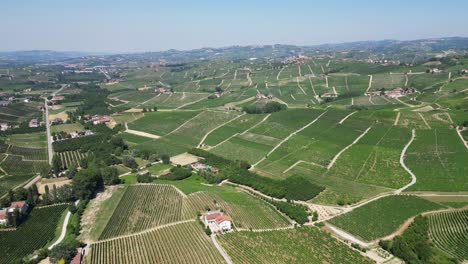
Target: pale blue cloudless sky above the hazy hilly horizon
{"type": "Point", "coordinates": [152, 25]}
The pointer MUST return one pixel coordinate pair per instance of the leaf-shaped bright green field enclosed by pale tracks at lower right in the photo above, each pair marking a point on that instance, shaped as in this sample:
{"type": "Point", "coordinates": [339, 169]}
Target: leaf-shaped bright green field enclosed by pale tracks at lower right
{"type": "Point", "coordinates": [382, 217]}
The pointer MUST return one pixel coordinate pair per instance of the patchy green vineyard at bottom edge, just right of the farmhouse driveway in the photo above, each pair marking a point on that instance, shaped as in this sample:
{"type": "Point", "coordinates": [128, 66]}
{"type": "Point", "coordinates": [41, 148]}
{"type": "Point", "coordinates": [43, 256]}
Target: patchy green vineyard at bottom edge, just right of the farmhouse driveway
{"type": "Point", "coordinates": [299, 245]}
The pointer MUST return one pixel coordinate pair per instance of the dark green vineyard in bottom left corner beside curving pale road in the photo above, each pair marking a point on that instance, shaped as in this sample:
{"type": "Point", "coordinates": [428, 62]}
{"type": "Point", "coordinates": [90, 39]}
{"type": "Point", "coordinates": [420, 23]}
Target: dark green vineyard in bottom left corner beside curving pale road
{"type": "Point", "coordinates": [37, 231]}
